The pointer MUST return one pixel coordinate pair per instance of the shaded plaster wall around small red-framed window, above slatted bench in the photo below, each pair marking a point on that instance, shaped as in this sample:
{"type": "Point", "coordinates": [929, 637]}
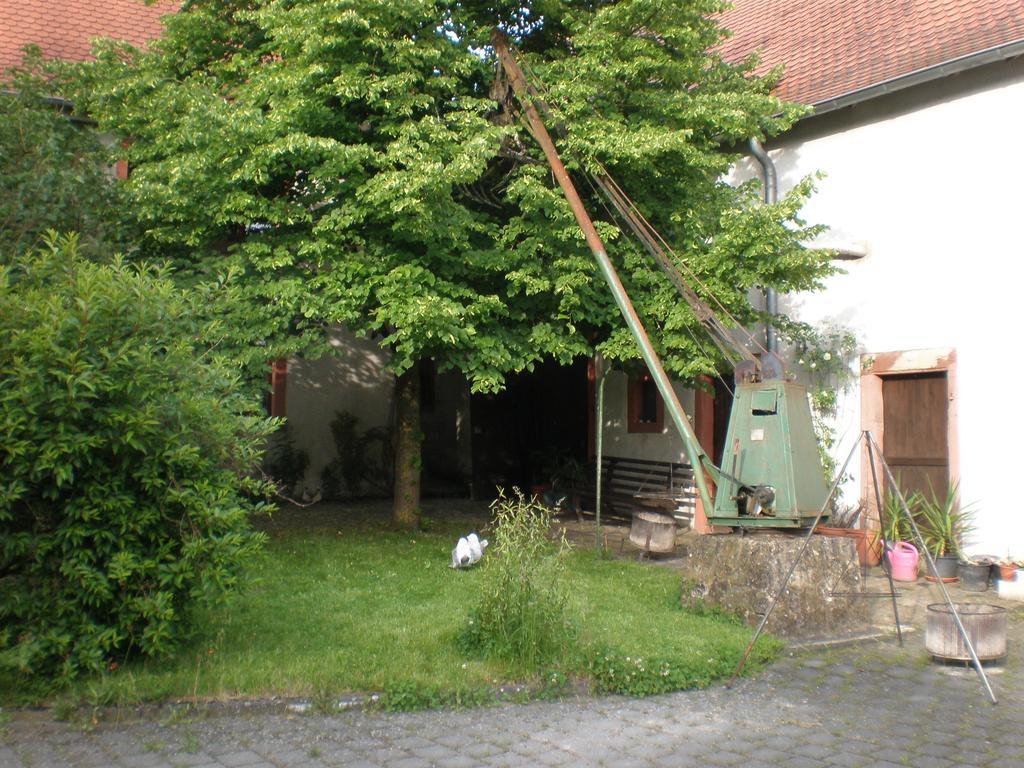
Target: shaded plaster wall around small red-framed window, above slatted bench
{"type": "Point", "coordinates": [666, 446]}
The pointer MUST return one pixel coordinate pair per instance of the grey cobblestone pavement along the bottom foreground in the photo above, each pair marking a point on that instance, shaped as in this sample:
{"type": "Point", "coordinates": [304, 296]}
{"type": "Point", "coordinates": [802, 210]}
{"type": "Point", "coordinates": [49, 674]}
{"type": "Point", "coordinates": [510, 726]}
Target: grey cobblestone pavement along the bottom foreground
{"type": "Point", "coordinates": [868, 705]}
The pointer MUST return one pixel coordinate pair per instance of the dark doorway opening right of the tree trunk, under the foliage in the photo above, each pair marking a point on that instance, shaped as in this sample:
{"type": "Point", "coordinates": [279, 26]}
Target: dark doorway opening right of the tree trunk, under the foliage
{"type": "Point", "coordinates": [521, 431]}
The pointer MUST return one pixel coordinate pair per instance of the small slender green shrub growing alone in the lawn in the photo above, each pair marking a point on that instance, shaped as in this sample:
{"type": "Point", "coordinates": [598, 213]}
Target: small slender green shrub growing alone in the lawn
{"type": "Point", "coordinates": [525, 616]}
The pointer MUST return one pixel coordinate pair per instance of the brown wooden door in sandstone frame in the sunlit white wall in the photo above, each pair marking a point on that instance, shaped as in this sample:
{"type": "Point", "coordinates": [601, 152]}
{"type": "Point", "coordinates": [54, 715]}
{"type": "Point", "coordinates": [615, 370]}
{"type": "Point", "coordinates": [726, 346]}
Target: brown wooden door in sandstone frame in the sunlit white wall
{"type": "Point", "coordinates": [916, 432]}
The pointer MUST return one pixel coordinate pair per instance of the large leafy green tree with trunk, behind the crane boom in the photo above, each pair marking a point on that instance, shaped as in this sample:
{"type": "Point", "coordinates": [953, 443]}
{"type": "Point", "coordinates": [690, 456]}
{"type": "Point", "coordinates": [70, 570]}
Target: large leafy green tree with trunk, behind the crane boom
{"type": "Point", "coordinates": [351, 160]}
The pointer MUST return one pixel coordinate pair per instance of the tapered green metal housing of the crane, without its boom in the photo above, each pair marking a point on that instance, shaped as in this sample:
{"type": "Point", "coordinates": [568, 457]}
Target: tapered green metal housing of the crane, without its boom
{"type": "Point", "coordinates": [772, 474]}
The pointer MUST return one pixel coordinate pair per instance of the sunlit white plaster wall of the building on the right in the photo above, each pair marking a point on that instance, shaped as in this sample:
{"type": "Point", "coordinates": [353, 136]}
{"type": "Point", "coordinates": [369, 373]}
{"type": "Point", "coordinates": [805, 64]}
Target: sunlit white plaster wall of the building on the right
{"type": "Point", "coordinates": [936, 194]}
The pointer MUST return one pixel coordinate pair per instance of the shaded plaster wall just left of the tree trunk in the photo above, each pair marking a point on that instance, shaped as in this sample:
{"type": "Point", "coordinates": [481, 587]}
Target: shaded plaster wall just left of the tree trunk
{"type": "Point", "coordinates": [353, 379]}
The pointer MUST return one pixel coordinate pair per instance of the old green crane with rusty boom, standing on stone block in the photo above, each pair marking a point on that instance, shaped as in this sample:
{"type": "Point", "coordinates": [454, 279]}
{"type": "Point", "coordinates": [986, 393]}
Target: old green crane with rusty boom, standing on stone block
{"type": "Point", "coordinates": [773, 476]}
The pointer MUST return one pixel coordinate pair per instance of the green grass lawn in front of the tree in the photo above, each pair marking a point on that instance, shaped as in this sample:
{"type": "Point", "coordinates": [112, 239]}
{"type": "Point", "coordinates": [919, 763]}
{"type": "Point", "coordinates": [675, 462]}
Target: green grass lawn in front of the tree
{"type": "Point", "coordinates": [338, 604]}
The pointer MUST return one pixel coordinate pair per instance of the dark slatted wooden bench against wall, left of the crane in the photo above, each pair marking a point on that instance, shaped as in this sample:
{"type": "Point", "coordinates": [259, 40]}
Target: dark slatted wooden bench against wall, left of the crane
{"type": "Point", "coordinates": [630, 486]}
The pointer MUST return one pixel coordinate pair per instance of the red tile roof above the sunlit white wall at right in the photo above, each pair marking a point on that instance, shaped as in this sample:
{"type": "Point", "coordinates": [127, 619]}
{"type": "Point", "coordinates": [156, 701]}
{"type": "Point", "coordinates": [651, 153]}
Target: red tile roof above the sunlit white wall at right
{"type": "Point", "coordinates": [832, 48]}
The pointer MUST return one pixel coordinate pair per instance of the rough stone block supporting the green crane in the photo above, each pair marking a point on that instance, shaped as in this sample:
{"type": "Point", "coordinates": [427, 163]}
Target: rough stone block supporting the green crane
{"type": "Point", "coordinates": [741, 574]}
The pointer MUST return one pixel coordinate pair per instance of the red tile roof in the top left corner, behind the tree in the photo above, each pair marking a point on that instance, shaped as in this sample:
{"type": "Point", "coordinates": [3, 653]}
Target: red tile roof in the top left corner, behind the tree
{"type": "Point", "coordinates": [64, 29]}
